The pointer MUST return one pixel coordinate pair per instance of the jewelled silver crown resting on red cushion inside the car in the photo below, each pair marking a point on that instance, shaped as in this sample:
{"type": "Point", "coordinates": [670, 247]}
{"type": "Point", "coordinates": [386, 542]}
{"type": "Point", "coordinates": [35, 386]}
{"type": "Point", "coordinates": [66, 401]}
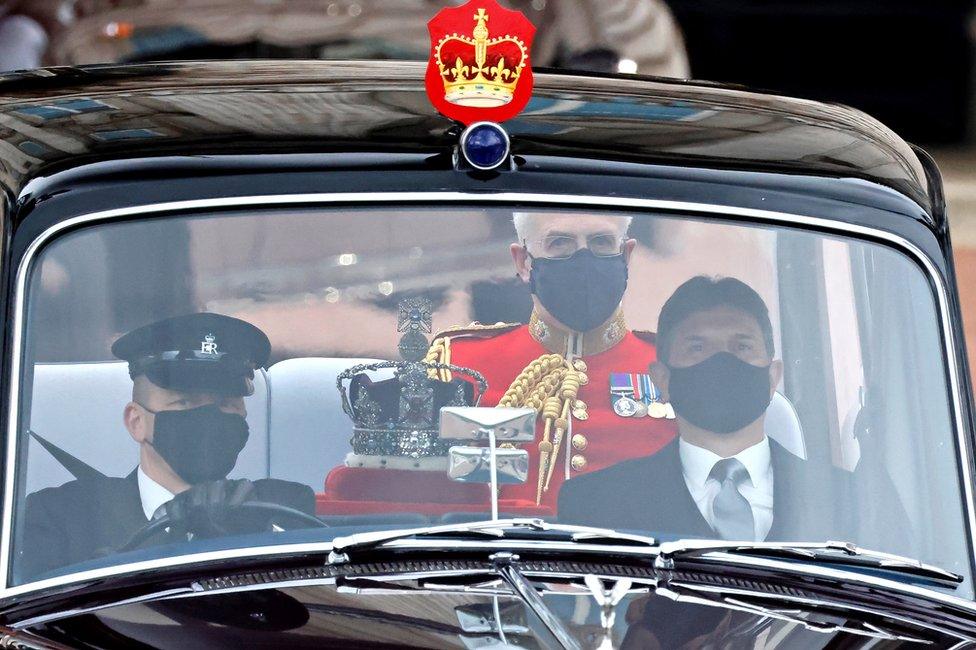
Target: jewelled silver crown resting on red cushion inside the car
{"type": "Point", "coordinates": [399, 417]}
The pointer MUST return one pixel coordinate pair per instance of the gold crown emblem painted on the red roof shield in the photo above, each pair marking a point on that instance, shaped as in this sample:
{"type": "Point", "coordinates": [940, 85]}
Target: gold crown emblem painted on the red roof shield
{"type": "Point", "coordinates": [484, 71]}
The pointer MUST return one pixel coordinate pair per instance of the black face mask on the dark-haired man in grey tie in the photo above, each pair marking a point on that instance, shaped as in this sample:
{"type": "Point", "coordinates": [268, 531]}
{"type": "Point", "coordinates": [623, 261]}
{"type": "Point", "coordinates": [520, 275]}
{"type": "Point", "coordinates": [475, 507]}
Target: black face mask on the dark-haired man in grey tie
{"type": "Point", "coordinates": [722, 394]}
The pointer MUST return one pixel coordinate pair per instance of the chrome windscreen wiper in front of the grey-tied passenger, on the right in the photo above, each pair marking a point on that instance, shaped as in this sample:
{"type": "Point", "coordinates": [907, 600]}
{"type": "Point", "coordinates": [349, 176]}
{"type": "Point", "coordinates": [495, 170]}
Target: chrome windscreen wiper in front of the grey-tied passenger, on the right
{"type": "Point", "coordinates": [844, 554]}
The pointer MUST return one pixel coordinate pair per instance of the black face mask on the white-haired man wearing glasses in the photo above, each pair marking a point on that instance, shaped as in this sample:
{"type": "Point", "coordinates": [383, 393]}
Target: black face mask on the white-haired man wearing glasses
{"type": "Point", "coordinates": [581, 291]}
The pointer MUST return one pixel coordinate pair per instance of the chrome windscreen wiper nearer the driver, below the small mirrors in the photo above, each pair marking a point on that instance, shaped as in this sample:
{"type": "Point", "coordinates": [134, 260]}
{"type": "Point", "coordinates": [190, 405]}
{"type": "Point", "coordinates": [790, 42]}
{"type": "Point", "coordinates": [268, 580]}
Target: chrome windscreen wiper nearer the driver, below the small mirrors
{"type": "Point", "coordinates": [535, 529]}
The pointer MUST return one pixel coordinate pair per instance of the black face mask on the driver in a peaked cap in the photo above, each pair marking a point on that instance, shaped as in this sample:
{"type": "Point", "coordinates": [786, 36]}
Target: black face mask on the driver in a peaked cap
{"type": "Point", "coordinates": [200, 444]}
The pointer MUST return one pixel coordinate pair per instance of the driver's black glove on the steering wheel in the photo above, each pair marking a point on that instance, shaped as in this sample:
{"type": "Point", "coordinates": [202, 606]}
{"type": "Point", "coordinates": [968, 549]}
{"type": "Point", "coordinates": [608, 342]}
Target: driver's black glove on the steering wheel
{"type": "Point", "coordinates": [202, 510]}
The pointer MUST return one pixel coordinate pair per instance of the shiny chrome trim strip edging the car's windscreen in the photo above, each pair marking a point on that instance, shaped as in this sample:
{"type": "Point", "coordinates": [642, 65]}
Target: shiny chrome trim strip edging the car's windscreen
{"type": "Point", "coordinates": [520, 198]}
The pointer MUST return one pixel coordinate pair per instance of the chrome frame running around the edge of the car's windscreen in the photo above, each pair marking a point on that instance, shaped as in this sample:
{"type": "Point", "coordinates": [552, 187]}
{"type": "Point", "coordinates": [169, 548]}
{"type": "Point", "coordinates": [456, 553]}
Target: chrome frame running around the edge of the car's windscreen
{"type": "Point", "coordinates": [707, 211]}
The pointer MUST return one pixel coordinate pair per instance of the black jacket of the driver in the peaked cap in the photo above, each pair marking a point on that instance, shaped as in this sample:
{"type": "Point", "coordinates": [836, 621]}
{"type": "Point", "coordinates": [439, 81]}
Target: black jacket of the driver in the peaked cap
{"type": "Point", "coordinates": [89, 518]}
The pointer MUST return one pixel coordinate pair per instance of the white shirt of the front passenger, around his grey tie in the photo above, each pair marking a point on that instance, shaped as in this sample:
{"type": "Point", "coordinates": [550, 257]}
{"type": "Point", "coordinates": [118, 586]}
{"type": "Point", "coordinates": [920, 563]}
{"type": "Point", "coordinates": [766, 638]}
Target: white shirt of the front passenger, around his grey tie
{"type": "Point", "coordinates": [697, 463]}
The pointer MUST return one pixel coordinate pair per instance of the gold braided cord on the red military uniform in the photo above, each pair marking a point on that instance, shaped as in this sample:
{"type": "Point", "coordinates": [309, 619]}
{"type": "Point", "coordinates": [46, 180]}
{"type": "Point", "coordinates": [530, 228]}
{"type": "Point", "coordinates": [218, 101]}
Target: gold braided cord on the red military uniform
{"type": "Point", "coordinates": [548, 384]}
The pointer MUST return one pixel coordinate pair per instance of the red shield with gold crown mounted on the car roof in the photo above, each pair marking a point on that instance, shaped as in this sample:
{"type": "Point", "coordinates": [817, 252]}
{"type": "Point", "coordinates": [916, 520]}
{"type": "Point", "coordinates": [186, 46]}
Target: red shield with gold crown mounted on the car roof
{"type": "Point", "coordinates": [479, 68]}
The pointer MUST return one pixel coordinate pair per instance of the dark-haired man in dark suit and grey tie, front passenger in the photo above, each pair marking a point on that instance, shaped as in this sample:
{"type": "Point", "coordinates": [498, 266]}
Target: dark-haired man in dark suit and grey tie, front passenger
{"type": "Point", "coordinates": [723, 477]}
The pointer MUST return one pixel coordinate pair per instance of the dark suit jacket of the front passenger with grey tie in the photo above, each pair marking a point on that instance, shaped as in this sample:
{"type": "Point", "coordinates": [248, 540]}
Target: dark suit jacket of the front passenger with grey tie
{"type": "Point", "coordinates": [811, 502]}
